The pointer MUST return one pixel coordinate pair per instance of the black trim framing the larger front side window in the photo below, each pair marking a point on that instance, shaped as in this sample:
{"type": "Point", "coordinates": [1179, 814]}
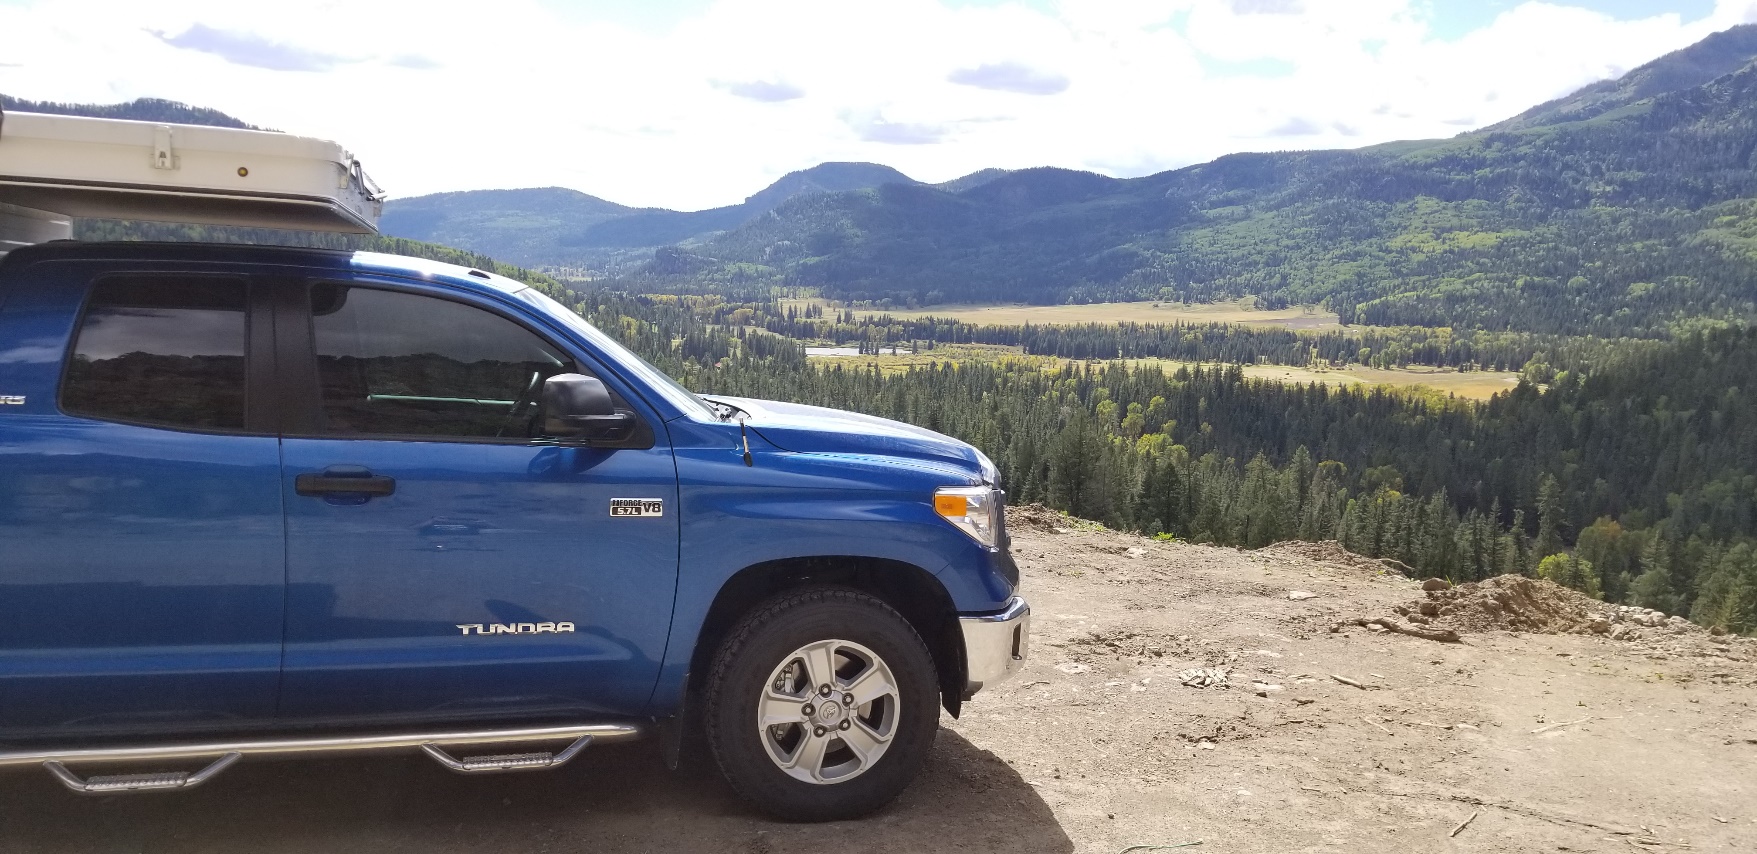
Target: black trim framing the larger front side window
{"type": "Point", "coordinates": [301, 391]}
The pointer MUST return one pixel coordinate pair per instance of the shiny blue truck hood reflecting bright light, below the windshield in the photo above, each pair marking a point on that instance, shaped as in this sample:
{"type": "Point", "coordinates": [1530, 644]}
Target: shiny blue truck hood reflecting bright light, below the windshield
{"type": "Point", "coordinates": [818, 430]}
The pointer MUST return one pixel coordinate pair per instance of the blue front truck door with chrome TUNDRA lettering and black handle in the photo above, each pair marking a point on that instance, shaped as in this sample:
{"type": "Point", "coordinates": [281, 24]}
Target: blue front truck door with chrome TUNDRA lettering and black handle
{"type": "Point", "coordinates": [445, 561]}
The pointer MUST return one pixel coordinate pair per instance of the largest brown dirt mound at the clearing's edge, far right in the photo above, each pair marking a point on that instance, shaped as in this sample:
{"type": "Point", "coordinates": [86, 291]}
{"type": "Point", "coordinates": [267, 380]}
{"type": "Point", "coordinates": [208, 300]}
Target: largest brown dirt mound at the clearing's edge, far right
{"type": "Point", "coordinates": [1512, 604]}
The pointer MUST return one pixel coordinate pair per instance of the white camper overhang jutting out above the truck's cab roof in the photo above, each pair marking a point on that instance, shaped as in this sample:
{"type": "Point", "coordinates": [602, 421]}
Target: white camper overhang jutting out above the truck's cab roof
{"type": "Point", "coordinates": [59, 168]}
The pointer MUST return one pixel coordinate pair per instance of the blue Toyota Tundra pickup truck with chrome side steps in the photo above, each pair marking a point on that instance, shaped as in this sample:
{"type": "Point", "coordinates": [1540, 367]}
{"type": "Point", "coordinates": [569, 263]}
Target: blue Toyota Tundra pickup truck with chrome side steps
{"type": "Point", "coordinates": [271, 502]}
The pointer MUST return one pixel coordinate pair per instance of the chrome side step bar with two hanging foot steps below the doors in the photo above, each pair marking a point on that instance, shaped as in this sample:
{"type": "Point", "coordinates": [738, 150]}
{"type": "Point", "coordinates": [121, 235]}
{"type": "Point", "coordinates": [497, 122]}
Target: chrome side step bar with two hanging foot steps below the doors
{"type": "Point", "coordinates": [224, 755]}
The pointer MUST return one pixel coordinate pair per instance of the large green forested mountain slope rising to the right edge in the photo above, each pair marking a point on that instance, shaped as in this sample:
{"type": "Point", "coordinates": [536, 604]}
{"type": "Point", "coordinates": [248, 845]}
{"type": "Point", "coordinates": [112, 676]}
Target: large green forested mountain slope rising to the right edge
{"type": "Point", "coordinates": [1623, 210]}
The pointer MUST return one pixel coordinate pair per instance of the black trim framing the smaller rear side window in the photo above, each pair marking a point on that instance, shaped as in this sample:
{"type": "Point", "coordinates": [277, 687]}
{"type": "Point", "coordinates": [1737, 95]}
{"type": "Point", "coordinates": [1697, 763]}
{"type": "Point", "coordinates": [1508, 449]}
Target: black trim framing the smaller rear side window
{"type": "Point", "coordinates": [259, 358]}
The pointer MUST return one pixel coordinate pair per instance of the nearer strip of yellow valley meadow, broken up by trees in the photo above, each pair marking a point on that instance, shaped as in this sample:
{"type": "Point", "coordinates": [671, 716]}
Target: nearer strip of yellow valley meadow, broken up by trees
{"type": "Point", "coordinates": [1475, 386]}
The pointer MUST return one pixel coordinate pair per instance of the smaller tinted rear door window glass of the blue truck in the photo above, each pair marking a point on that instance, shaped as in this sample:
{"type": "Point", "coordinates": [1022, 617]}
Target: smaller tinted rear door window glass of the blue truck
{"type": "Point", "coordinates": [161, 351]}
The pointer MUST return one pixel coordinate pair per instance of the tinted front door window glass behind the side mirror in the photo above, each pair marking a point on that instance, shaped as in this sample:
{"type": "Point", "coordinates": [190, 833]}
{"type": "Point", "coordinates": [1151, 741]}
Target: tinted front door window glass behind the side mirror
{"type": "Point", "coordinates": [405, 365]}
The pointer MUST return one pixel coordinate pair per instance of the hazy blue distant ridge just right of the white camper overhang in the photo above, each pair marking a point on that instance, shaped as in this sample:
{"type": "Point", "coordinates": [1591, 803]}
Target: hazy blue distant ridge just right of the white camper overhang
{"type": "Point", "coordinates": [563, 228]}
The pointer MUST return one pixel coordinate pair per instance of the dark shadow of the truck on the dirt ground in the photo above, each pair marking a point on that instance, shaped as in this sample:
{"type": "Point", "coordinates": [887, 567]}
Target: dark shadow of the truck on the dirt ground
{"type": "Point", "coordinates": [614, 799]}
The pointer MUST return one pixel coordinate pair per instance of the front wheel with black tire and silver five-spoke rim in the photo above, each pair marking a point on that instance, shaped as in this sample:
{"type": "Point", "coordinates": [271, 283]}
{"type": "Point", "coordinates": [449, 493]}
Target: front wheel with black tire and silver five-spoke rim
{"type": "Point", "coordinates": [821, 706]}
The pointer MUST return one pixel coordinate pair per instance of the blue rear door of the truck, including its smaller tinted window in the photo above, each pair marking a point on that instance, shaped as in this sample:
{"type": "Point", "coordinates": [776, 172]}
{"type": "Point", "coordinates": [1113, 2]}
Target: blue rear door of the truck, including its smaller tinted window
{"type": "Point", "coordinates": [141, 528]}
